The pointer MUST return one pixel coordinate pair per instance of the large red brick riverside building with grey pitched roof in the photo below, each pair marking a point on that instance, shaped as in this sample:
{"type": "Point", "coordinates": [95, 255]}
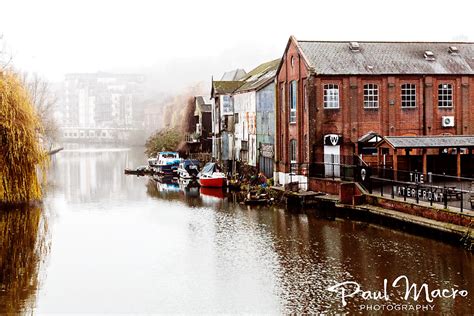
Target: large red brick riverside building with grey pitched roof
{"type": "Point", "coordinates": [333, 98]}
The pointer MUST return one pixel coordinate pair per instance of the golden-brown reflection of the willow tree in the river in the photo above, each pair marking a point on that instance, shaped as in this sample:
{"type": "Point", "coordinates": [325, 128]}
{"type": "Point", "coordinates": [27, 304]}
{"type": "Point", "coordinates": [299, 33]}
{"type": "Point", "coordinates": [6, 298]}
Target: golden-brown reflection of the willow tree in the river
{"type": "Point", "coordinates": [23, 248]}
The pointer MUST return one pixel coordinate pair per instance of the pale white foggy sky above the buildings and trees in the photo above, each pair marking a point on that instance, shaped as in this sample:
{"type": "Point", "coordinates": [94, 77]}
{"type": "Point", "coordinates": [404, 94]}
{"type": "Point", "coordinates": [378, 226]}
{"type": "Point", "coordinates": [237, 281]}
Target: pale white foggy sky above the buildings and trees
{"type": "Point", "coordinates": [182, 42]}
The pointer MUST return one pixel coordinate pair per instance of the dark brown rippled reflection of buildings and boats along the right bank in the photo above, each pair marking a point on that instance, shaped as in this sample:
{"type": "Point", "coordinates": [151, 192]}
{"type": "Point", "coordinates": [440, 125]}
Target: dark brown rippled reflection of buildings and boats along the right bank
{"type": "Point", "coordinates": [302, 254]}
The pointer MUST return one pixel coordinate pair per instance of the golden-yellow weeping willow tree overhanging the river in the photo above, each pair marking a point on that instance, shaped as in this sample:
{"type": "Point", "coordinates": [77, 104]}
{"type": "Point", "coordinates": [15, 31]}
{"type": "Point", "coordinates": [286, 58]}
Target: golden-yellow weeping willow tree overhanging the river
{"type": "Point", "coordinates": [21, 152]}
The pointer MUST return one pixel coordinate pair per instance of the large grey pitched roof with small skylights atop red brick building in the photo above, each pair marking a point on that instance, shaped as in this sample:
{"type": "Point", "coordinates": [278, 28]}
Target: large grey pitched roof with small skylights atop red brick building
{"type": "Point", "coordinates": [334, 58]}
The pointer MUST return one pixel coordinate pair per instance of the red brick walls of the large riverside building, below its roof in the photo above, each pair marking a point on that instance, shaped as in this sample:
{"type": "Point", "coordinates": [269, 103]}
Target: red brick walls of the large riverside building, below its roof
{"type": "Point", "coordinates": [352, 120]}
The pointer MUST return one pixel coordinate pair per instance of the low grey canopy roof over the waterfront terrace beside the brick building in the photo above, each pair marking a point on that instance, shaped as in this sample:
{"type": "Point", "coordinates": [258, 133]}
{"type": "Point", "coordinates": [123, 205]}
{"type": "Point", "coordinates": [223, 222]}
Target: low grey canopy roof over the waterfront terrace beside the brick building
{"type": "Point", "coordinates": [430, 141]}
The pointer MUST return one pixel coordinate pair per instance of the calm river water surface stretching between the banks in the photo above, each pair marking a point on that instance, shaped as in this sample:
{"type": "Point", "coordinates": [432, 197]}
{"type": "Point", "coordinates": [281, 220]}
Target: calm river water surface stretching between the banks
{"type": "Point", "coordinates": [104, 242]}
